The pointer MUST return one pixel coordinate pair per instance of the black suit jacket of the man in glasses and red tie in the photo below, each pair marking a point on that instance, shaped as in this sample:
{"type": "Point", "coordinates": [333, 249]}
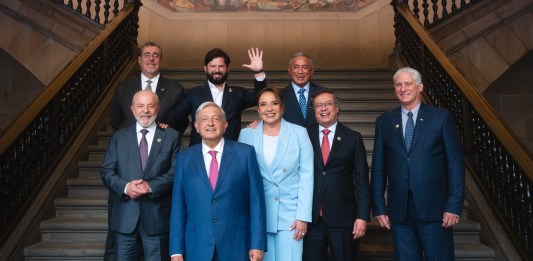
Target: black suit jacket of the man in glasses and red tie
{"type": "Point", "coordinates": [341, 185]}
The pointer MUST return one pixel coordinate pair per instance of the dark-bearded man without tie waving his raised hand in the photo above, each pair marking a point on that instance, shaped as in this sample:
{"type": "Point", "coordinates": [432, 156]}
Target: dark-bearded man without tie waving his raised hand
{"type": "Point", "coordinates": [233, 99]}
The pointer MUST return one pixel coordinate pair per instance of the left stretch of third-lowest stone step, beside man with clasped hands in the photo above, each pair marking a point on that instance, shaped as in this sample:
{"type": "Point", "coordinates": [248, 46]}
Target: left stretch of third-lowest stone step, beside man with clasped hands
{"type": "Point", "coordinates": [74, 207]}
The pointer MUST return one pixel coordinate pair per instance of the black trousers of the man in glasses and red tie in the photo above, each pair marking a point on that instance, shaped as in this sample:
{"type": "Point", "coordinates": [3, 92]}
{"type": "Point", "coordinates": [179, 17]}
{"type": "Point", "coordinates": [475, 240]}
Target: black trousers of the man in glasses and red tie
{"type": "Point", "coordinates": [340, 241]}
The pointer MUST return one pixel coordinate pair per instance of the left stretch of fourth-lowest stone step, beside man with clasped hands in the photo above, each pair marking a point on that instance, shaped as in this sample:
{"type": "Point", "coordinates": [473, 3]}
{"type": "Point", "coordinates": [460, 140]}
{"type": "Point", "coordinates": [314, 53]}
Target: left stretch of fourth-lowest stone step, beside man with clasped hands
{"type": "Point", "coordinates": [86, 187]}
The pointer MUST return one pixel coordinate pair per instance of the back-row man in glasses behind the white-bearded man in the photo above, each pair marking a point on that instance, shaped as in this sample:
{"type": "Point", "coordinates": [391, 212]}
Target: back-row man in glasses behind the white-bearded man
{"type": "Point", "coordinates": [170, 92]}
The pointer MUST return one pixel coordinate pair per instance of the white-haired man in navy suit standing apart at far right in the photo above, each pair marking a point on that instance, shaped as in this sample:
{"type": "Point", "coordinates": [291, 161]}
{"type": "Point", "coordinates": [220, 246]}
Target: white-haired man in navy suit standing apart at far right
{"type": "Point", "coordinates": [418, 160]}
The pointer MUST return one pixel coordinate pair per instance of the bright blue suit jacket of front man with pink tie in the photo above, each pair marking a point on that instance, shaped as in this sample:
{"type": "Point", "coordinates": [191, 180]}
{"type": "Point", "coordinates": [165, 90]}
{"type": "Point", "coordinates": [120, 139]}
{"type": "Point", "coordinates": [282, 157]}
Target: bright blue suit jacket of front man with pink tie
{"type": "Point", "coordinates": [230, 218]}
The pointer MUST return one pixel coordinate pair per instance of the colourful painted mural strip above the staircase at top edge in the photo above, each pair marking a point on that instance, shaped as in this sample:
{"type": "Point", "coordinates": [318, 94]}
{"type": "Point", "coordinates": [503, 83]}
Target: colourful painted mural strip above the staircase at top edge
{"type": "Point", "coordinates": [264, 5]}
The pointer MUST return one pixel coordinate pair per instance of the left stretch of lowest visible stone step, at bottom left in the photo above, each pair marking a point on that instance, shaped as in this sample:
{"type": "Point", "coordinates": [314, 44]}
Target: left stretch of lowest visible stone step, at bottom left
{"type": "Point", "coordinates": [65, 251]}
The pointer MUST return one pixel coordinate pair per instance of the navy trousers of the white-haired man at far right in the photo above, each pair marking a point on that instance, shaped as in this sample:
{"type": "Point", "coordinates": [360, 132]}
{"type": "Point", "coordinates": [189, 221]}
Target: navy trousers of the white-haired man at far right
{"type": "Point", "coordinates": [414, 239]}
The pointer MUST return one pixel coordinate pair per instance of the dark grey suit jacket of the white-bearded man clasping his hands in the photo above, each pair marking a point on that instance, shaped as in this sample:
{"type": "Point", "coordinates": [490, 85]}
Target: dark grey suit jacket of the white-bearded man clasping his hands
{"type": "Point", "coordinates": [122, 164]}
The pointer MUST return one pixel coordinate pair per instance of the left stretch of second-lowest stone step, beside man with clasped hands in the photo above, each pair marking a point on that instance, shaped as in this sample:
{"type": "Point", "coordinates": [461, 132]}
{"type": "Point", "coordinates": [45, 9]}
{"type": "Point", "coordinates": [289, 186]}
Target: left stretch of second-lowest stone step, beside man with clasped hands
{"type": "Point", "coordinates": [68, 229]}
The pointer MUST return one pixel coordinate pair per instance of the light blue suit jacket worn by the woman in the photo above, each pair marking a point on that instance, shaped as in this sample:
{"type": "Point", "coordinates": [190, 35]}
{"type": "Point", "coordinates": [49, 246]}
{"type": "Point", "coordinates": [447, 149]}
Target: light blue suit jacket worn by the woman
{"type": "Point", "coordinates": [288, 180]}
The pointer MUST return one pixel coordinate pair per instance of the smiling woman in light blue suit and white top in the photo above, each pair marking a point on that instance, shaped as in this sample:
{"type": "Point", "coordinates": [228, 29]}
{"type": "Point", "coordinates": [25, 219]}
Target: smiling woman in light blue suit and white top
{"type": "Point", "coordinates": [285, 157]}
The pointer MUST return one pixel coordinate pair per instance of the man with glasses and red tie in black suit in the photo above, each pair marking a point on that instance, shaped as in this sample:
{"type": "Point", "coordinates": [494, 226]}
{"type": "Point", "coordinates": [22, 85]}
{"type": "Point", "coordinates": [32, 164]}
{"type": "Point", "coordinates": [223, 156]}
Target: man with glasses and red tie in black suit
{"type": "Point", "coordinates": [341, 205]}
